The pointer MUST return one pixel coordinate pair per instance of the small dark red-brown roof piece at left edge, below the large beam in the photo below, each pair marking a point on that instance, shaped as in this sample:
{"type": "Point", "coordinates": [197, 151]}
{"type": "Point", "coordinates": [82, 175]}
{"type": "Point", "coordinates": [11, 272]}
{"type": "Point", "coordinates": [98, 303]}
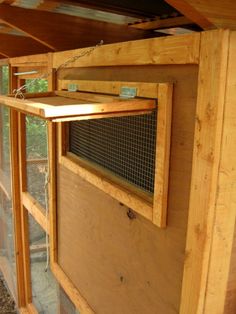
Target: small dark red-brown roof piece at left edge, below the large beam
{"type": "Point", "coordinates": [14, 46]}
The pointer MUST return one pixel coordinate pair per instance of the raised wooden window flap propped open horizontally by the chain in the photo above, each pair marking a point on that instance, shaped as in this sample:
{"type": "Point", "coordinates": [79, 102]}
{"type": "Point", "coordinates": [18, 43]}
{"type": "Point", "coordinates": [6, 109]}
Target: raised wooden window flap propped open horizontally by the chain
{"type": "Point", "coordinates": [61, 106]}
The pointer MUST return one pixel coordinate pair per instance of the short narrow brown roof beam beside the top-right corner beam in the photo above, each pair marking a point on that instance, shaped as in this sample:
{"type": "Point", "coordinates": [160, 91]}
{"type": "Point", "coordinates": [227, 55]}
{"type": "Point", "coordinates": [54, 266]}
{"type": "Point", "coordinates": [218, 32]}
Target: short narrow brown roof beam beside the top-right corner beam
{"type": "Point", "coordinates": [164, 23]}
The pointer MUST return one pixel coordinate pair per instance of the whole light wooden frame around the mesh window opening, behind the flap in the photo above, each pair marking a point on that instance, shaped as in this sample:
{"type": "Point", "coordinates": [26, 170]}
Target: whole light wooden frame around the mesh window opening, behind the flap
{"type": "Point", "coordinates": [154, 209]}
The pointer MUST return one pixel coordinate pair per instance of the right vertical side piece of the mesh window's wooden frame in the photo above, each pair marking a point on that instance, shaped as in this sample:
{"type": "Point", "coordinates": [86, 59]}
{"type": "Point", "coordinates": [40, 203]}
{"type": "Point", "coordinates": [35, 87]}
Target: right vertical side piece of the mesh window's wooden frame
{"type": "Point", "coordinates": [163, 154]}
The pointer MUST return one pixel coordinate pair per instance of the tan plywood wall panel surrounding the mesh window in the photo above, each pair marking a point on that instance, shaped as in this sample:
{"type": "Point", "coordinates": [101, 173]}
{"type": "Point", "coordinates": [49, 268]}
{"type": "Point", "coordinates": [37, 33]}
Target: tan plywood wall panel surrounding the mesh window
{"type": "Point", "coordinates": [121, 265]}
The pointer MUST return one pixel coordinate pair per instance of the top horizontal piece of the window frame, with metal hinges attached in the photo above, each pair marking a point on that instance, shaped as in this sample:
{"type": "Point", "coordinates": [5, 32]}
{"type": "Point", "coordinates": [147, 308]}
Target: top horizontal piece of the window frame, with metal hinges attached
{"type": "Point", "coordinates": [148, 90]}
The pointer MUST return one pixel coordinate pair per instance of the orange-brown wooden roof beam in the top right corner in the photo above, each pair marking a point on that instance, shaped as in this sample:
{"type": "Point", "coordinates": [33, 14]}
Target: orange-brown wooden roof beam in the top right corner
{"type": "Point", "coordinates": [208, 14]}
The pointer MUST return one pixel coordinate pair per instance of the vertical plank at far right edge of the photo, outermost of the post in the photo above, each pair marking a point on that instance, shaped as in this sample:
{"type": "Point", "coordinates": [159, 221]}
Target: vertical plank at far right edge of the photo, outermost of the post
{"type": "Point", "coordinates": [221, 287]}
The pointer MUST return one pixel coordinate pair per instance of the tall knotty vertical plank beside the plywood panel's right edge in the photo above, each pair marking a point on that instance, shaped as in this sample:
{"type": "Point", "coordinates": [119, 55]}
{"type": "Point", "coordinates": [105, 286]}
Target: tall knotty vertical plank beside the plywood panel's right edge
{"type": "Point", "coordinates": [206, 160]}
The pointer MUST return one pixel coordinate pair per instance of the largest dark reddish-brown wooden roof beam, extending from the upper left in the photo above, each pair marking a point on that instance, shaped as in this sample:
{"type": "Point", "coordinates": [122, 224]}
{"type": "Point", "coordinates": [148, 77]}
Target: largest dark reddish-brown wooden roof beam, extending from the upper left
{"type": "Point", "coordinates": [61, 32]}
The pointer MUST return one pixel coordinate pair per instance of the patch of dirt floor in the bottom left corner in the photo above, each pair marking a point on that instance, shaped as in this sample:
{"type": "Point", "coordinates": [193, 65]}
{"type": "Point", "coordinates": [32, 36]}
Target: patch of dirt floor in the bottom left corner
{"type": "Point", "coordinates": [7, 305]}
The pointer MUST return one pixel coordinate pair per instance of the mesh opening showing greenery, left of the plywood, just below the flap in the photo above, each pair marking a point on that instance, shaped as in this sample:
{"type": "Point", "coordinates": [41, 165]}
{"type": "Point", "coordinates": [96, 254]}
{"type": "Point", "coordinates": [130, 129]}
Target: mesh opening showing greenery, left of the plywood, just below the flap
{"type": "Point", "coordinates": [37, 158]}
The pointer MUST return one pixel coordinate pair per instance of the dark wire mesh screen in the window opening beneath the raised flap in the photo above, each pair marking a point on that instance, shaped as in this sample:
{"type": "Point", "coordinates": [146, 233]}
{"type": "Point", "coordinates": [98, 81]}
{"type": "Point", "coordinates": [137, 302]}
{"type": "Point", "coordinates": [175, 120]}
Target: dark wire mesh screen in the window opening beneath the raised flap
{"type": "Point", "coordinates": [123, 145]}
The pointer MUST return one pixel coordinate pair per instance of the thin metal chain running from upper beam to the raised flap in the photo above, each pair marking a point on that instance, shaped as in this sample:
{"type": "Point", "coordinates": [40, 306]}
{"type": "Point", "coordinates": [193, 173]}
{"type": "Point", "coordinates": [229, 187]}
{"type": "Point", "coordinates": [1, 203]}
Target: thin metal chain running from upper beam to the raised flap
{"type": "Point", "coordinates": [19, 92]}
